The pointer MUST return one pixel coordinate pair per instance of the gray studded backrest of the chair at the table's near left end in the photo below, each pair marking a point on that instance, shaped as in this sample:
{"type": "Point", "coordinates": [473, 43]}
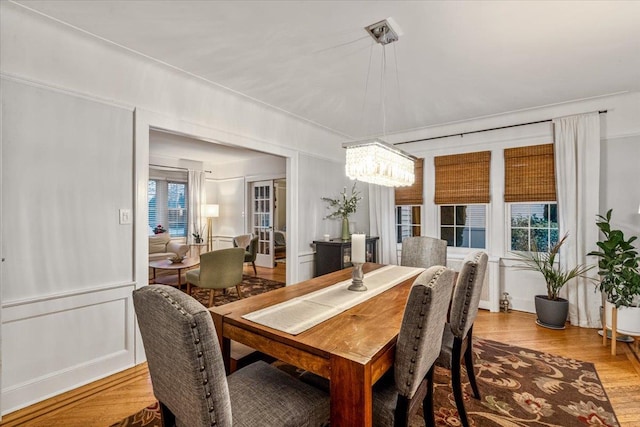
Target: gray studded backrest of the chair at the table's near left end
{"type": "Point", "coordinates": [183, 355]}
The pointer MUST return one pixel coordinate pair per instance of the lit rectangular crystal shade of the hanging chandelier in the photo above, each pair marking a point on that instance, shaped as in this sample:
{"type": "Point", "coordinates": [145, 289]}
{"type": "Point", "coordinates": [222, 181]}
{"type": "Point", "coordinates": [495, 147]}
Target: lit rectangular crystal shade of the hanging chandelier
{"type": "Point", "coordinates": [379, 163]}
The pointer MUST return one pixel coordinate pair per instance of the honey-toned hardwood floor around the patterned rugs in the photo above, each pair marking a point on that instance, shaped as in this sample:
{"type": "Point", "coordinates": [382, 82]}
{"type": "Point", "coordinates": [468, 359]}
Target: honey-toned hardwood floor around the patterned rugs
{"type": "Point", "coordinates": [109, 400]}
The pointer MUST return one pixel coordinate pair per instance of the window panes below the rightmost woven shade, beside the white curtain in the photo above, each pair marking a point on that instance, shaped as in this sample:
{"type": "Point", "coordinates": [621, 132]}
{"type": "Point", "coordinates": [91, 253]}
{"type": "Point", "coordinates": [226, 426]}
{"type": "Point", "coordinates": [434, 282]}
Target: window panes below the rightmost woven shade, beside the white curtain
{"type": "Point", "coordinates": [534, 226]}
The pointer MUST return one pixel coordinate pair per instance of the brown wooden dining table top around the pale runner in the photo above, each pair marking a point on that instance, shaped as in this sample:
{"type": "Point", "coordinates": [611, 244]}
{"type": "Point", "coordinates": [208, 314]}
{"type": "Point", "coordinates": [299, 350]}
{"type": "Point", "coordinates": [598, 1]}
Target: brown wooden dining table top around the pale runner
{"type": "Point", "coordinates": [360, 334]}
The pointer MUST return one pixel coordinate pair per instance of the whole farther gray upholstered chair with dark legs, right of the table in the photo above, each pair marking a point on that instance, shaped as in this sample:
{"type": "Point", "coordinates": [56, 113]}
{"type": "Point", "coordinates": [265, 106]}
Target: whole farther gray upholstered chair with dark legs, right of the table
{"type": "Point", "coordinates": [457, 340]}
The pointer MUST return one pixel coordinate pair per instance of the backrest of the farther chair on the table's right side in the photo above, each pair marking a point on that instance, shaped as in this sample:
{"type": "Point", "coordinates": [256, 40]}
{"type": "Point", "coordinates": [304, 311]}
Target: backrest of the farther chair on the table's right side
{"type": "Point", "coordinates": [466, 294]}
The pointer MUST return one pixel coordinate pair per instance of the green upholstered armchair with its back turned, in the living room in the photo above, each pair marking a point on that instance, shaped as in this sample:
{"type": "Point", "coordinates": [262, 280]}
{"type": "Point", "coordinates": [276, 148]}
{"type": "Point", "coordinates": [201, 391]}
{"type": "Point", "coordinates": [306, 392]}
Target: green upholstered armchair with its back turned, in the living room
{"type": "Point", "coordinates": [219, 269]}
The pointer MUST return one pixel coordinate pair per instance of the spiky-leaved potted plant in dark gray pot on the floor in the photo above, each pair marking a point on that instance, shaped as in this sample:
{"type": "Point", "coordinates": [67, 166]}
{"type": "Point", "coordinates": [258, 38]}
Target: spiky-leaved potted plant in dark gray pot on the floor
{"type": "Point", "coordinates": [551, 310]}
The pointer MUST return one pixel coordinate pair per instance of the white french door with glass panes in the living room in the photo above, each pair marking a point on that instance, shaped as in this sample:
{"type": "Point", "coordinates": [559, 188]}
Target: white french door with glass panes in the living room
{"type": "Point", "coordinates": [262, 221]}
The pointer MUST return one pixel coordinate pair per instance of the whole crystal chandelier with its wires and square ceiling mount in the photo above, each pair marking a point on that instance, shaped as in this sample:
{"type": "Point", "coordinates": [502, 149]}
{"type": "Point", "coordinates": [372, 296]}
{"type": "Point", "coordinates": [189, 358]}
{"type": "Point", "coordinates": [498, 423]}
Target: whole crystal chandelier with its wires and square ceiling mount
{"type": "Point", "coordinates": [376, 161]}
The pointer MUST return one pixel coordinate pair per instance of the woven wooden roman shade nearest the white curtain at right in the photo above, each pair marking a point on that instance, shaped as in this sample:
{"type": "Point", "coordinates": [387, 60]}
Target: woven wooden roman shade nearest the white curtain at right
{"type": "Point", "coordinates": [529, 174]}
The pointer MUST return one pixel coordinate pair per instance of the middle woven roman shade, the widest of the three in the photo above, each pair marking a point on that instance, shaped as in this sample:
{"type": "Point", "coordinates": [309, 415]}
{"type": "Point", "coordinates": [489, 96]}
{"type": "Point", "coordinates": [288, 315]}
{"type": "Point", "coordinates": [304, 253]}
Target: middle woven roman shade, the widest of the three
{"type": "Point", "coordinates": [462, 178]}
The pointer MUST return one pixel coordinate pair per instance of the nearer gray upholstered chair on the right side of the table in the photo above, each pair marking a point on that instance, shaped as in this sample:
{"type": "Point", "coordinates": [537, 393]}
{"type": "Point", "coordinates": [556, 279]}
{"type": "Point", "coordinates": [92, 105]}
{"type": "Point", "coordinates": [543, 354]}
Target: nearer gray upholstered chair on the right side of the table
{"type": "Point", "coordinates": [398, 394]}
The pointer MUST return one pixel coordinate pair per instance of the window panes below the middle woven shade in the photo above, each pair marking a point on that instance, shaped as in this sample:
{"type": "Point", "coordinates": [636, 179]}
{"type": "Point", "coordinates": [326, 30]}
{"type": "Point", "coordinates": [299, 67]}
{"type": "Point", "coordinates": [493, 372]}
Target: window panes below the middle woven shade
{"type": "Point", "coordinates": [463, 226]}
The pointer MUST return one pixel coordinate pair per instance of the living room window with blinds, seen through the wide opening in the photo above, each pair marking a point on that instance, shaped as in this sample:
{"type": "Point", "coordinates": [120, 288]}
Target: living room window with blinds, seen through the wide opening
{"type": "Point", "coordinates": [168, 206]}
